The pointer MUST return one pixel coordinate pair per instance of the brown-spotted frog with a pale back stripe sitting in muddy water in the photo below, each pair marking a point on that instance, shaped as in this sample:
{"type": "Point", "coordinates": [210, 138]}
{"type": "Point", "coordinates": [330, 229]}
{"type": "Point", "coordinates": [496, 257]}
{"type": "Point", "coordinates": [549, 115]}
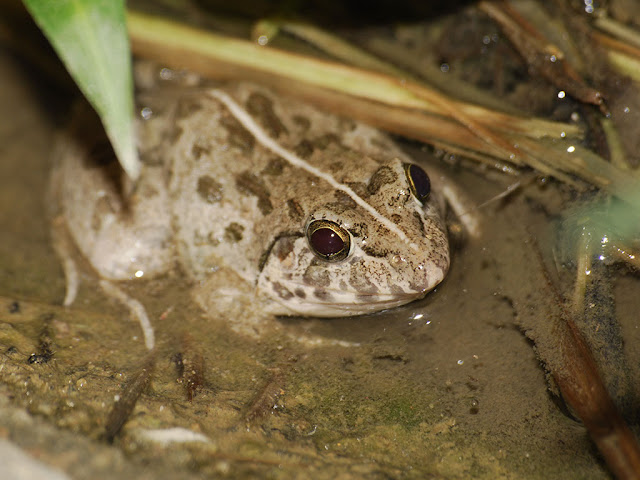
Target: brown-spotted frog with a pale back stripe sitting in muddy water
{"type": "Point", "coordinates": [256, 195]}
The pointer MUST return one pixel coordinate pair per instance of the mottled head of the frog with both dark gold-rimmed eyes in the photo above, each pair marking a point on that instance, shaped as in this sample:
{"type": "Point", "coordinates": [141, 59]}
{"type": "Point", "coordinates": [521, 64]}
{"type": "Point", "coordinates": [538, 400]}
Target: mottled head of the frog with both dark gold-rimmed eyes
{"type": "Point", "coordinates": [376, 249]}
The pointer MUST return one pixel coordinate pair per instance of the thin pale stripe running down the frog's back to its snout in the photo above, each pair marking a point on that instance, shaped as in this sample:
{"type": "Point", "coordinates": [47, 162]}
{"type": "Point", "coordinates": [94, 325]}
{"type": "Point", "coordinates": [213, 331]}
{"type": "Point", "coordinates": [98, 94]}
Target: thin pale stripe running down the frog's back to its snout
{"type": "Point", "coordinates": [261, 136]}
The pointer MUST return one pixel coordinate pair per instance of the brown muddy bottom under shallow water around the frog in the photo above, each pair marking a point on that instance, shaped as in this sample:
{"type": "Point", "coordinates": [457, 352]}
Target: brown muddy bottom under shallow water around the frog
{"type": "Point", "coordinates": [446, 387]}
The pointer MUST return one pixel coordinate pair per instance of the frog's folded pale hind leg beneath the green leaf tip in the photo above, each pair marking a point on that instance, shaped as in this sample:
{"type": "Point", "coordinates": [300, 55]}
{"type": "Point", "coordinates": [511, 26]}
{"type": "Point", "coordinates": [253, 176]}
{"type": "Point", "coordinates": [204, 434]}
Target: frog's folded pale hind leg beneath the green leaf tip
{"type": "Point", "coordinates": [124, 231]}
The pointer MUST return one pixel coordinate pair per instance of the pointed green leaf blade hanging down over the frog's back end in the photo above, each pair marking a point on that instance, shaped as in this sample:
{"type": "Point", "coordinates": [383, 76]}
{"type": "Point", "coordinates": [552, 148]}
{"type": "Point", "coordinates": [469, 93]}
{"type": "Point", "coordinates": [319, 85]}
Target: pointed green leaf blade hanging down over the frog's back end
{"type": "Point", "coordinates": [90, 36]}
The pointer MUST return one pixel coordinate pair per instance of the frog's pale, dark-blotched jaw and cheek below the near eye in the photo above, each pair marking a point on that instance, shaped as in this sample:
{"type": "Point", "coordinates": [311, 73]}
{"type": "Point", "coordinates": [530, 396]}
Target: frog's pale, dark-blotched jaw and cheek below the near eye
{"type": "Point", "coordinates": [309, 288]}
